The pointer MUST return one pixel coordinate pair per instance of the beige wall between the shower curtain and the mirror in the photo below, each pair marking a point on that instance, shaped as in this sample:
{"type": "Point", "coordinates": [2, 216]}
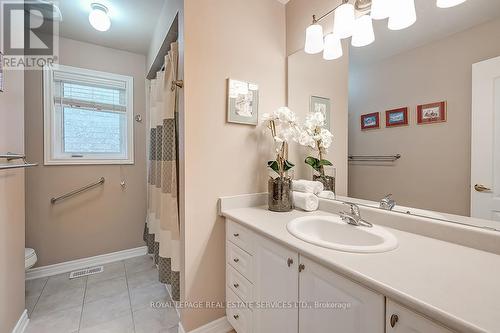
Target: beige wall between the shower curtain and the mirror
{"type": "Point", "coordinates": [227, 38]}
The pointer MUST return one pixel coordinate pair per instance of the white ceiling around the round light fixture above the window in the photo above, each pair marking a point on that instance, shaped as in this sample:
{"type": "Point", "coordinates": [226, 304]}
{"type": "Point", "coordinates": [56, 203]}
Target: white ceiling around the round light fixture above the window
{"type": "Point", "coordinates": [132, 23]}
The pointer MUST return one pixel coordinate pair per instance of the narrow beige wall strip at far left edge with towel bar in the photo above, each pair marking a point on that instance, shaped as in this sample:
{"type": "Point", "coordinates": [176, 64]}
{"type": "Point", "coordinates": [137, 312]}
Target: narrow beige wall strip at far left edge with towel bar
{"type": "Point", "coordinates": [11, 203]}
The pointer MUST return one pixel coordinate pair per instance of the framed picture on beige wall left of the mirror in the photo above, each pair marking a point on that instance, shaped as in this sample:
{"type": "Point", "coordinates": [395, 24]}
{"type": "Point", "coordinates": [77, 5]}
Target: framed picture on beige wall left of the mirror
{"type": "Point", "coordinates": [242, 102]}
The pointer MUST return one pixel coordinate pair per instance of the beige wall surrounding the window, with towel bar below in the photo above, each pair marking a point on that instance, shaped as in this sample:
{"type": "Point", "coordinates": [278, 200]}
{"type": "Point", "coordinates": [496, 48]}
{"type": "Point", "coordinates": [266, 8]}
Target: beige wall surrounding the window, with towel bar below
{"type": "Point", "coordinates": [102, 220]}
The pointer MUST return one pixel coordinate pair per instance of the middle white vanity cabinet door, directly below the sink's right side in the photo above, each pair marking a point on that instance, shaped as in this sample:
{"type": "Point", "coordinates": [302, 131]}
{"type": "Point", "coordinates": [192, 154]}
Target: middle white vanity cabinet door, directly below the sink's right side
{"type": "Point", "coordinates": [334, 304]}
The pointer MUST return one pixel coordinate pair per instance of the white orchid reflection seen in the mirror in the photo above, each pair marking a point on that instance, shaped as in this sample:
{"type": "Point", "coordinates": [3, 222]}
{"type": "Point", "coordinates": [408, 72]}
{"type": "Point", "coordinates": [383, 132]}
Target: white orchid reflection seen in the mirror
{"type": "Point", "coordinates": [317, 137]}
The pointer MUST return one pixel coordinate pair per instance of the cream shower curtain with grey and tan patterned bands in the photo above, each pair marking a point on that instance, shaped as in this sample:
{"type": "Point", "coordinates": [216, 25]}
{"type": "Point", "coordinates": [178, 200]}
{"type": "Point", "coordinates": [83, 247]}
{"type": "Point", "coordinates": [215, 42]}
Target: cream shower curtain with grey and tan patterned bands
{"type": "Point", "coordinates": [161, 232]}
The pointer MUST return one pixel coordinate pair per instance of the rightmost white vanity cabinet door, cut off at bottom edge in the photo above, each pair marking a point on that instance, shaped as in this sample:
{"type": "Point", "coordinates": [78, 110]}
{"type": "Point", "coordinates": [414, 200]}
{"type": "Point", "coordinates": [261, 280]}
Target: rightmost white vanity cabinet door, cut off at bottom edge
{"type": "Point", "coordinates": [401, 320]}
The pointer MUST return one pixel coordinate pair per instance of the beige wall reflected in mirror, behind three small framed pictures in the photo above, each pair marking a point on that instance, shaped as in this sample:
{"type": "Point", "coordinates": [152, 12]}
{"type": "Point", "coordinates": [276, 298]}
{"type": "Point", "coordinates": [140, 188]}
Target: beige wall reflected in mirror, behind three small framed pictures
{"type": "Point", "coordinates": [434, 171]}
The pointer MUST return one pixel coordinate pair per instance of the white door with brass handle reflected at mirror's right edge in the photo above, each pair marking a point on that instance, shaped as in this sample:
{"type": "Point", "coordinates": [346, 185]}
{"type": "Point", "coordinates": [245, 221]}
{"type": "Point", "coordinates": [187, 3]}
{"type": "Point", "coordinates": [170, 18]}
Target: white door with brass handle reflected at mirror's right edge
{"type": "Point", "coordinates": [485, 158]}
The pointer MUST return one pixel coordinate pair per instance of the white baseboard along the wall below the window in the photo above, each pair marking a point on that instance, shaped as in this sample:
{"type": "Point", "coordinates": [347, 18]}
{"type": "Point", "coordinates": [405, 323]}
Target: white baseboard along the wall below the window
{"type": "Point", "coordinates": [69, 266]}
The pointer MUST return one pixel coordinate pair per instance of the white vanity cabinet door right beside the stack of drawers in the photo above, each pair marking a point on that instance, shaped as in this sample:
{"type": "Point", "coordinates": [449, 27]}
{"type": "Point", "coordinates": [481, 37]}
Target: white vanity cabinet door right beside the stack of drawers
{"type": "Point", "coordinates": [275, 287]}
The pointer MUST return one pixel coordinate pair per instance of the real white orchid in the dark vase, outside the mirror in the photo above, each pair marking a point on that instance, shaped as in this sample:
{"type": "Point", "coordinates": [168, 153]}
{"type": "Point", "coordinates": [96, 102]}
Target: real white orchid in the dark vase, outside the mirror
{"type": "Point", "coordinates": [284, 128]}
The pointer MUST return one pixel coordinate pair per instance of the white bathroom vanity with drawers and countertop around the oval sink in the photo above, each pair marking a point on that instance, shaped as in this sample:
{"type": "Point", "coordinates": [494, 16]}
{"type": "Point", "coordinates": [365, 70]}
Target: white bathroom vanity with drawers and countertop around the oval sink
{"type": "Point", "coordinates": [276, 282]}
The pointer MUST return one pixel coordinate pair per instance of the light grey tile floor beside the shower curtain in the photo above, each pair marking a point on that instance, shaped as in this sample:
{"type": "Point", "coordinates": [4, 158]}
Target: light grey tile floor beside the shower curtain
{"type": "Point", "coordinates": [117, 300]}
